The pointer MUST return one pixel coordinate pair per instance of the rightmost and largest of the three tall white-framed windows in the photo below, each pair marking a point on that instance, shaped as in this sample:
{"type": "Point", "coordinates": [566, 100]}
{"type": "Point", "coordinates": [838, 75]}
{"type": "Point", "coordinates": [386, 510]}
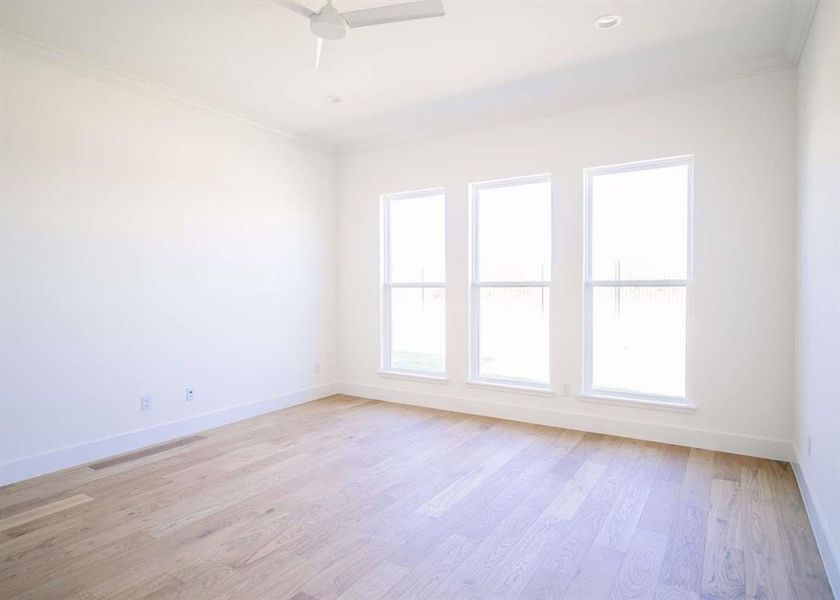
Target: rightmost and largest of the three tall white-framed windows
{"type": "Point", "coordinates": [637, 275]}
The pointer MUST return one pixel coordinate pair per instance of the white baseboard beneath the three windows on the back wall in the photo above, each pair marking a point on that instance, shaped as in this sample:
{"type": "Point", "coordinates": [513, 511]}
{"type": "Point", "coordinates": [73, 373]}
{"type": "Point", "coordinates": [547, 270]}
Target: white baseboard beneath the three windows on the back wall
{"type": "Point", "coordinates": [670, 434]}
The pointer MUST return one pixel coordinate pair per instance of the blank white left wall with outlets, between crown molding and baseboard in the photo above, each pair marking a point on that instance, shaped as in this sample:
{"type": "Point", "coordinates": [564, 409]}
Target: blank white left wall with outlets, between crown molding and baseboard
{"type": "Point", "coordinates": [147, 247]}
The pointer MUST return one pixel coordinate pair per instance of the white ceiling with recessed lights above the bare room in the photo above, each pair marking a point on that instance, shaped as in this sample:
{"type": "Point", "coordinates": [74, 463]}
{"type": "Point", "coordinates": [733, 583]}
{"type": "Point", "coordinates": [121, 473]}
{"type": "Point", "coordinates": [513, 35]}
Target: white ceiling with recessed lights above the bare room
{"type": "Point", "coordinates": [485, 62]}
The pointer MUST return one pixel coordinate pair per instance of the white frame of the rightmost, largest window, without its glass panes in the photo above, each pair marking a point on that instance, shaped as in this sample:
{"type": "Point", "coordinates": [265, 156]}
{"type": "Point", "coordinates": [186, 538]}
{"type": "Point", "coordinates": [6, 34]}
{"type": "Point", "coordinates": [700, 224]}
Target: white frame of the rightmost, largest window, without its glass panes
{"type": "Point", "coordinates": [589, 284]}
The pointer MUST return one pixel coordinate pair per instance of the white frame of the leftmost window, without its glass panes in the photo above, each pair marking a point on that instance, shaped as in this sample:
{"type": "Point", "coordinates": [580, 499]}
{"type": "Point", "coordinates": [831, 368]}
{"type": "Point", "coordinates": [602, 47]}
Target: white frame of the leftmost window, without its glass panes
{"type": "Point", "coordinates": [386, 285]}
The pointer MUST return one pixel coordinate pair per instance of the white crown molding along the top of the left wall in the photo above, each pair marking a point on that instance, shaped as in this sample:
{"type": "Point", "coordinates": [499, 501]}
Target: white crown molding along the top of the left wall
{"type": "Point", "coordinates": [55, 57]}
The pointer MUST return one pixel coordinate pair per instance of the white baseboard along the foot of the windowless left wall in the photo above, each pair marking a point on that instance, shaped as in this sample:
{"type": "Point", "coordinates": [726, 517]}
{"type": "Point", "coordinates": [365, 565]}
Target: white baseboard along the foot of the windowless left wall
{"type": "Point", "coordinates": [71, 456]}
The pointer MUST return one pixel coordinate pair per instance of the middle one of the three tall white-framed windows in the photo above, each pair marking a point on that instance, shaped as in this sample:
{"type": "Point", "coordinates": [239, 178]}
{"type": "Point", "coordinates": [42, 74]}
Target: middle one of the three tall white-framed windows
{"type": "Point", "coordinates": [510, 279]}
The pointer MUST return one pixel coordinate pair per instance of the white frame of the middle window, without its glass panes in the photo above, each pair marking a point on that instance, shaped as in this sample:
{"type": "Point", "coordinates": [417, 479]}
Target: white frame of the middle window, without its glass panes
{"type": "Point", "coordinates": [476, 284]}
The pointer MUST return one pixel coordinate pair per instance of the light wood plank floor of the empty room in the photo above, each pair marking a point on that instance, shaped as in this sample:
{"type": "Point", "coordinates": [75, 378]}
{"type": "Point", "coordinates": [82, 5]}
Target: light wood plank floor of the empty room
{"type": "Point", "coordinates": [347, 498]}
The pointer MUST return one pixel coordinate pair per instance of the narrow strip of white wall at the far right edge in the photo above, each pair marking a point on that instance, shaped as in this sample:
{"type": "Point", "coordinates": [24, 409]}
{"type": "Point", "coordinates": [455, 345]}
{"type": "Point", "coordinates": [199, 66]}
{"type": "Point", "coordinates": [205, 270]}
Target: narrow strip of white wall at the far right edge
{"type": "Point", "coordinates": [818, 309]}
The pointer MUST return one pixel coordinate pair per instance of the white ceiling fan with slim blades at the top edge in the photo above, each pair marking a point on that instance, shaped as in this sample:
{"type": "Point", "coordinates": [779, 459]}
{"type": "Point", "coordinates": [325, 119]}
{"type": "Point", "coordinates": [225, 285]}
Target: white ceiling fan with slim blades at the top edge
{"type": "Point", "coordinates": [329, 25]}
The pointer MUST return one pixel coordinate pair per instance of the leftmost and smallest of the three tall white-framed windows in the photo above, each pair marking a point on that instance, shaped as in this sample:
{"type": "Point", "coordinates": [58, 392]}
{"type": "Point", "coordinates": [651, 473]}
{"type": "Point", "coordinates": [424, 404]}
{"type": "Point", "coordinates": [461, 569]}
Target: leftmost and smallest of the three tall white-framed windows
{"type": "Point", "coordinates": [414, 282]}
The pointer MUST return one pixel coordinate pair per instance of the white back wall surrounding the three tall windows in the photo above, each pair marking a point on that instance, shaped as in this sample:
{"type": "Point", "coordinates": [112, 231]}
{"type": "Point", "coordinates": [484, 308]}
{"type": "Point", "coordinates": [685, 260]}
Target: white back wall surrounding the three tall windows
{"type": "Point", "coordinates": [742, 135]}
